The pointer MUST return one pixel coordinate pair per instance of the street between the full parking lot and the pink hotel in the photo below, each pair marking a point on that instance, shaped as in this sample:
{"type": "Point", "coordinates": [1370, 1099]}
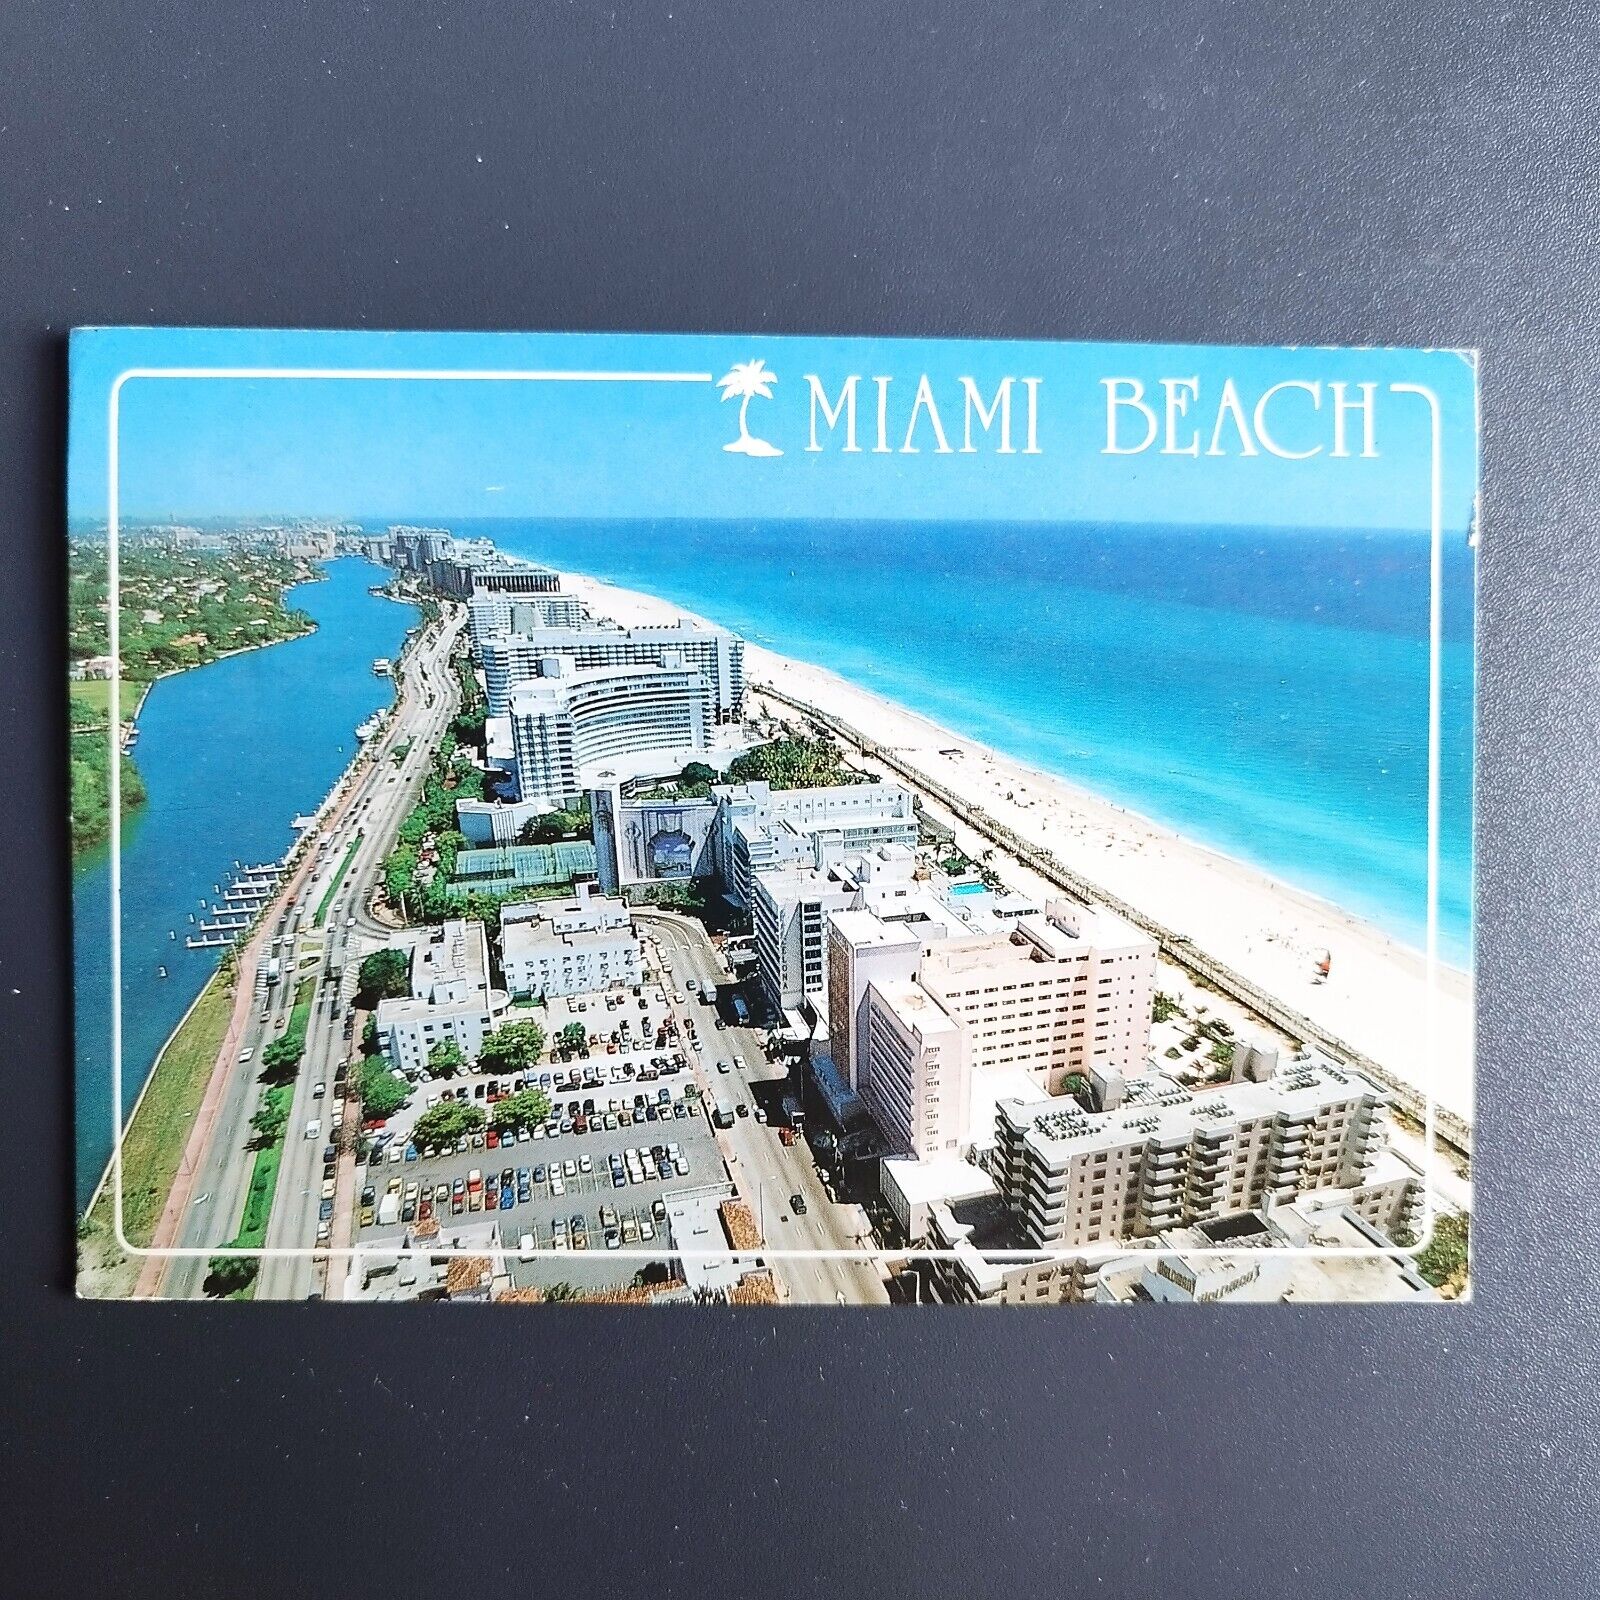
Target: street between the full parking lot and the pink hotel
{"type": "Point", "coordinates": [766, 1172]}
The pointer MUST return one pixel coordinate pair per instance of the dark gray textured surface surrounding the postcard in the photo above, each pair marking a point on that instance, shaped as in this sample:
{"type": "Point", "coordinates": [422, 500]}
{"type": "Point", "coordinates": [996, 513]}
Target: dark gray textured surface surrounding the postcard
{"type": "Point", "coordinates": [1420, 175]}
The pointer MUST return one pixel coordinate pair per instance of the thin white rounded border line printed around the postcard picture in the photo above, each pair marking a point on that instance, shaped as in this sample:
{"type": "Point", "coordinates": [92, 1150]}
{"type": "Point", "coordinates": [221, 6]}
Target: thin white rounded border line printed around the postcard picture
{"type": "Point", "coordinates": [1097, 1252]}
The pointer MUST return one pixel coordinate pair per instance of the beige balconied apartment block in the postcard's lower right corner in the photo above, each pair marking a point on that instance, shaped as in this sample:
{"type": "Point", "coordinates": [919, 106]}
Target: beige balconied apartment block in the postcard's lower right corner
{"type": "Point", "coordinates": [1167, 1158]}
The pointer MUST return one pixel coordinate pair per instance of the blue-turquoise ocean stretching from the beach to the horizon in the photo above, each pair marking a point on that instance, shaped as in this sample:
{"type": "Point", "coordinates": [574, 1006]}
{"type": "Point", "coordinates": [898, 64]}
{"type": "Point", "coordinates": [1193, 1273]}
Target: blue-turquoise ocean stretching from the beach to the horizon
{"type": "Point", "coordinates": [1260, 690]}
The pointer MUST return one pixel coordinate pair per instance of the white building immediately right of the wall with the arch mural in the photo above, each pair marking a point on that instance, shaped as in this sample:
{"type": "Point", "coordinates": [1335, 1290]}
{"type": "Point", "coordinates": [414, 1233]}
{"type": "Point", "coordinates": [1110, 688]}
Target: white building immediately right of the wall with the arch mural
{"type": "Point", "coordinates": [761, 828]}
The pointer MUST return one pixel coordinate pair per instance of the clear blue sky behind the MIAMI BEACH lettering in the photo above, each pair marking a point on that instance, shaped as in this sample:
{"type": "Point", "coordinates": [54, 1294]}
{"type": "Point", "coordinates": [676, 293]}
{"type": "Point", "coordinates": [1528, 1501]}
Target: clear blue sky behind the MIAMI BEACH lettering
{"type": "Point", "coordinates": [433, 450]}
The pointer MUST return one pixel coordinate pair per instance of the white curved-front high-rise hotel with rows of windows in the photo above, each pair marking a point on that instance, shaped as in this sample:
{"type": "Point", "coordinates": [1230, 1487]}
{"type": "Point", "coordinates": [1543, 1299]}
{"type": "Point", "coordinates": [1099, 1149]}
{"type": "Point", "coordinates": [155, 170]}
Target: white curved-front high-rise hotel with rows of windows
{"type": "Point", "coordinates": [569, 724]}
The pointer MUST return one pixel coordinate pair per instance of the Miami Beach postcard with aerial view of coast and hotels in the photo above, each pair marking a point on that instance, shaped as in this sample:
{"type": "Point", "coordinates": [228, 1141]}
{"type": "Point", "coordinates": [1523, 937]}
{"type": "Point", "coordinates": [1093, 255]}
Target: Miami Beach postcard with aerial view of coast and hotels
{"type": "Point", "coordinates": [751, 820]}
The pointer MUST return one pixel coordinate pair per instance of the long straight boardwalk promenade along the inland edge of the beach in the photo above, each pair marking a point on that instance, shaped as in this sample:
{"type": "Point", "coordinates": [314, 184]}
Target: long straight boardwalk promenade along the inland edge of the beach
{"type": "Point", "coordinates": [1175, 948]}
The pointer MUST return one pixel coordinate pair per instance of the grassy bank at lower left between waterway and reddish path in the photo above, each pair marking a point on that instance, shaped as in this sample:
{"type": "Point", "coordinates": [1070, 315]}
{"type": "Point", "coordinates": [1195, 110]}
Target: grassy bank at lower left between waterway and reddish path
{"type": "Point", "coordinates": [154, 1143]}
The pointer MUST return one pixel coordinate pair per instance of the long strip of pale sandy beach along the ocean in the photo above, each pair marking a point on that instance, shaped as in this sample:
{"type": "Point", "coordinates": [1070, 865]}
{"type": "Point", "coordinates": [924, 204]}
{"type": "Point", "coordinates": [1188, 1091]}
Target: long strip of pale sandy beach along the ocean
{"type": "Point", "coordinates": [1377, 990]}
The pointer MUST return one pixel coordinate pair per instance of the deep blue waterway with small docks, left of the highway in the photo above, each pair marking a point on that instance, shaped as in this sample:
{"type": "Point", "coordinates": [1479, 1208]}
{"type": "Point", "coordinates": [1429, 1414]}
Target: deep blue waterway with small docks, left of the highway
{"type": "Point", "coordinates": [230, 754]}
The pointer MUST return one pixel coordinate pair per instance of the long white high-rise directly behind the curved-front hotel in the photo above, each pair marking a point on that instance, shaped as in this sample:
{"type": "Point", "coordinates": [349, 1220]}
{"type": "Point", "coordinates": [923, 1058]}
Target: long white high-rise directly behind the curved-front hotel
{"type": "Point", "coordinates": [513, 657]}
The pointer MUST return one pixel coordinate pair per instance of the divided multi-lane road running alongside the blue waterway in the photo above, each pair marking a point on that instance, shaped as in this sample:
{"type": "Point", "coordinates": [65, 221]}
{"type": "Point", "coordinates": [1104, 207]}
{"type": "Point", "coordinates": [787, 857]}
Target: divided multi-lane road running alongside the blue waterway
{"type": "Point", "coordinates": [375, 806]}
